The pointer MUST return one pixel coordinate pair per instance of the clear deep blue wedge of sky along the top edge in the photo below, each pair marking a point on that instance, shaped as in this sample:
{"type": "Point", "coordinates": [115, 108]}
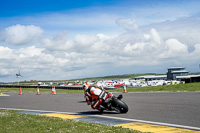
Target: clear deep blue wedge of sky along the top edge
{"type": "Point", "coordinates": [23, 7]}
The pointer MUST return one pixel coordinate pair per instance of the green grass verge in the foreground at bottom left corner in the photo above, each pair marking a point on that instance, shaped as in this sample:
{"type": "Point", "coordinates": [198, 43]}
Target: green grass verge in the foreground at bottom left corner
{"type": "Point", "coordinates": [15, 122]}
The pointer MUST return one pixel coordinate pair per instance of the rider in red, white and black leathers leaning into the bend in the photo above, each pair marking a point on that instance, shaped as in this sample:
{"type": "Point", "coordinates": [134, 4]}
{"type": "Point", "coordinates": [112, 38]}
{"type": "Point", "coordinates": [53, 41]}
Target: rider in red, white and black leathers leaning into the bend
{"type": "Point", "coordinates": [95, 96]}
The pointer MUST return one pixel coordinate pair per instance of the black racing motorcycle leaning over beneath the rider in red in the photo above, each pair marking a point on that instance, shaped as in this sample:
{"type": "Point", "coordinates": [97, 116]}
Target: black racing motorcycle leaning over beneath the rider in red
{"type": "Point", "coordinates": [114, 104]}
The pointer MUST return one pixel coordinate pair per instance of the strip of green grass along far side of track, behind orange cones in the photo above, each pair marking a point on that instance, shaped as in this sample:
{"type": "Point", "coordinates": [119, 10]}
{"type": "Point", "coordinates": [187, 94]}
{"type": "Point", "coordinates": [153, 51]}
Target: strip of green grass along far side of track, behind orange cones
{"type": "Point", "coordinates": [168, 88]}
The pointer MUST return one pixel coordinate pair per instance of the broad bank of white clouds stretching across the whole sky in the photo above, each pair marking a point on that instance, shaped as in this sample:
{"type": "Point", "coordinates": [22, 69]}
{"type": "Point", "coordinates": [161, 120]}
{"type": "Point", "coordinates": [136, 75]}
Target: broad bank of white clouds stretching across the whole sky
{"type": "Point", "coordinates": [59, 57]}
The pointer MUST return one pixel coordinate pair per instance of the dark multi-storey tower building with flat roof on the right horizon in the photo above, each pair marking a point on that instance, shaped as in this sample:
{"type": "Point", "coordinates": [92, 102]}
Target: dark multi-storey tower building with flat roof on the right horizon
{"type": "Point", "coordinates": [173, 72]}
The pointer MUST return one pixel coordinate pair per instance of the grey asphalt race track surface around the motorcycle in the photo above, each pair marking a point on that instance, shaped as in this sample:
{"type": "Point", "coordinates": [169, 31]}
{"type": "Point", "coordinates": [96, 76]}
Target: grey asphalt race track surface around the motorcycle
{"type": "Point", "coordinates": [181, 108]}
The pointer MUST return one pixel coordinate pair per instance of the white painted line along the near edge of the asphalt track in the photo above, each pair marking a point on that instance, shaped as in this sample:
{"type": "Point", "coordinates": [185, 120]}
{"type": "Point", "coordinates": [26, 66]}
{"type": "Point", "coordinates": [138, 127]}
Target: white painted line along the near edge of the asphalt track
{"type": "Point", "coordinates": [118, 118]}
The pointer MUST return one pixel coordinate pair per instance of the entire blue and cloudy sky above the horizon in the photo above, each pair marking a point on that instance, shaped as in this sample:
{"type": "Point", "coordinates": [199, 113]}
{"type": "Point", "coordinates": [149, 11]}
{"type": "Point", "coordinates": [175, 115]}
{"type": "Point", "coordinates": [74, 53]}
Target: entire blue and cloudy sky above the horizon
{"type": "Point", "coordinates": [64, 39]}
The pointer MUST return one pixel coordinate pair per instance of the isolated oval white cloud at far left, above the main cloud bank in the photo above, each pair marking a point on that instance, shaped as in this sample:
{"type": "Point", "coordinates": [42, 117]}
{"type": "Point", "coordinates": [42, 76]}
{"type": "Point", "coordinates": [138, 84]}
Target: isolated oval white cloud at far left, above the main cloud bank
{"type": "Point", "coordinates": [21, 34]}
